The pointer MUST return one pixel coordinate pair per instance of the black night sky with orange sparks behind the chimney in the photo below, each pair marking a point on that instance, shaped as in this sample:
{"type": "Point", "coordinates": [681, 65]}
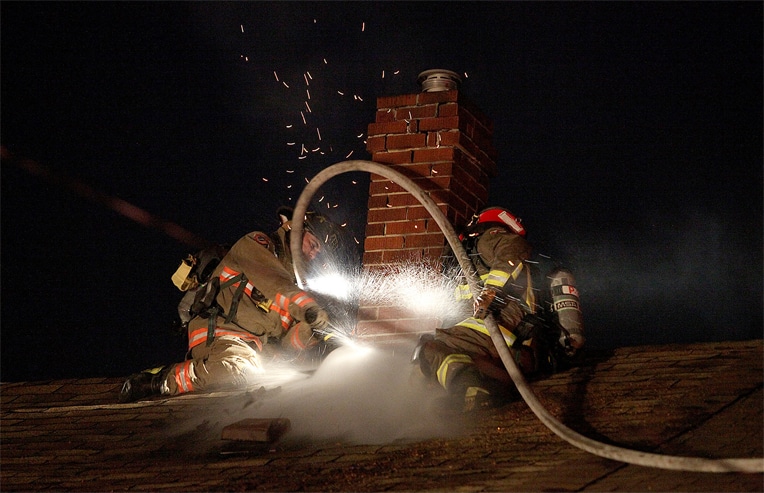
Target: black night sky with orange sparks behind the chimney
{"type": "Point", "coordinates": [629, 138]}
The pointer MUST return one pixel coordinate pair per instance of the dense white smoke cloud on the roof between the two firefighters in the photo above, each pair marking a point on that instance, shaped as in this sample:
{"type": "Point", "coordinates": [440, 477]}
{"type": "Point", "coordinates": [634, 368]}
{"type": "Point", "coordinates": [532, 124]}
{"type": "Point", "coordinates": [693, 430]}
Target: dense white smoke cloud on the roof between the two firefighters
{"type": "Point", "coordinates": [361, 395]}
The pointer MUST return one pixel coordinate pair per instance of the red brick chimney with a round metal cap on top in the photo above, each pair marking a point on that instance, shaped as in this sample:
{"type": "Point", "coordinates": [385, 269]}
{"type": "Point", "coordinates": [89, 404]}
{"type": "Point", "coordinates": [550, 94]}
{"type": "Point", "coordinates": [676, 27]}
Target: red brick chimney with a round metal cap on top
{"type": "Point", "coordinates": [442, 142]}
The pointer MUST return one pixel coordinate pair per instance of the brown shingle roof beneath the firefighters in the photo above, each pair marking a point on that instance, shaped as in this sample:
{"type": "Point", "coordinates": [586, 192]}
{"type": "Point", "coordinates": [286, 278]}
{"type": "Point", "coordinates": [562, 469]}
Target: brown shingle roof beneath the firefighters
{"type": "Point", "coordinates": [701, 400]}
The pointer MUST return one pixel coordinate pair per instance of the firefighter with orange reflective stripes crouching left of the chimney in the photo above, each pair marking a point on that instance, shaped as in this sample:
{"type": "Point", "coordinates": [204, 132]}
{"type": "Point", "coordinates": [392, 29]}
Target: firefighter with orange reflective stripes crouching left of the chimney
{"type": "Point", "coordinates": [261, 316]}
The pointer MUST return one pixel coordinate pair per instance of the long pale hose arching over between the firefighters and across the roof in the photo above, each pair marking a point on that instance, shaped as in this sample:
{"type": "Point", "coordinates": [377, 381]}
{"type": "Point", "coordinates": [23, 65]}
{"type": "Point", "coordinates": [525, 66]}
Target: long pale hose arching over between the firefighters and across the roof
{"type": "Point", "coordinates": [679, 463]}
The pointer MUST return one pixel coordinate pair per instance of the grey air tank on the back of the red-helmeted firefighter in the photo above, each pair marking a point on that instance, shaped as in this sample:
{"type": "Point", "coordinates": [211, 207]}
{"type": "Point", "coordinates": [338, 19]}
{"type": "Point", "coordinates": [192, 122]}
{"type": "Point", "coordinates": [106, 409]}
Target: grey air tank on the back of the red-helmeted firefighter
{"type": "Point", "coordinates": [567, 307]}
